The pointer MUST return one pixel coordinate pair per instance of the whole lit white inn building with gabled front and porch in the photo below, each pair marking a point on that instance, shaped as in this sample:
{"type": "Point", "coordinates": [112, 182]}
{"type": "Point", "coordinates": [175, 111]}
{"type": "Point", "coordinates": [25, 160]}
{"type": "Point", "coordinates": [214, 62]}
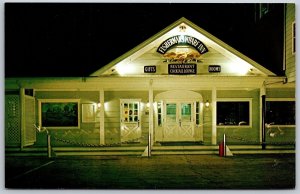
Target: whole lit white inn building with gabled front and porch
{"type": "Point", "coordinates": [181, 85]}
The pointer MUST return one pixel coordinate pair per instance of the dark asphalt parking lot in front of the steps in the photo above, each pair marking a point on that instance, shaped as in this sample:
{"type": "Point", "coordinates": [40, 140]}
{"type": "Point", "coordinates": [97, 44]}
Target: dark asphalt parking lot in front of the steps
{"type": "Point", "coordinates": [157, 172]}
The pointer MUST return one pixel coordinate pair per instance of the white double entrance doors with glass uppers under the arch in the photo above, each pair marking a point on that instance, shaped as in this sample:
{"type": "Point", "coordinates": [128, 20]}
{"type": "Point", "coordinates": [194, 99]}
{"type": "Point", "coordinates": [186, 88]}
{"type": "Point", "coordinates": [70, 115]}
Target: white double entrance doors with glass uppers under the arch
{"type": "Point", "coordinates": [179, 124]}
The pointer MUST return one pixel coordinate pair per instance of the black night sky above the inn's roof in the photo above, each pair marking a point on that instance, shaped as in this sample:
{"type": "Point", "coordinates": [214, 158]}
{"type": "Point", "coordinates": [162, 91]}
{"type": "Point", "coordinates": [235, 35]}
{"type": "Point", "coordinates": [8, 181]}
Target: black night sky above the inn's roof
{"type": "Point", "coordinates": [76, 39]}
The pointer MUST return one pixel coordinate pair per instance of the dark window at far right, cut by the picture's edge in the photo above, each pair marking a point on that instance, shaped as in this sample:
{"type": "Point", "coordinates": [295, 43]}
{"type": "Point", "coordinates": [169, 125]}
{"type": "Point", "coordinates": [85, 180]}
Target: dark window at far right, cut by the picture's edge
{"type": "Point", "coordinates": [280, 112]}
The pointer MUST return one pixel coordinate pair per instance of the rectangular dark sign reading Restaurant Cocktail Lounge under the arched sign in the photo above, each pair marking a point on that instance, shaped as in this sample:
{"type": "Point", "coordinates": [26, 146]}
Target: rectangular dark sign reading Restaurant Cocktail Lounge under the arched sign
{"type": "Point", "coordinates": [182, 69]}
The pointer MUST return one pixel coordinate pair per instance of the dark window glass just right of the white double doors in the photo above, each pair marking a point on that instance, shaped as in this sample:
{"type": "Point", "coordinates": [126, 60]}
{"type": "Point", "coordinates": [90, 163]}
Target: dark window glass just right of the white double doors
{"type": "Point", "coordinates": [234, 113]}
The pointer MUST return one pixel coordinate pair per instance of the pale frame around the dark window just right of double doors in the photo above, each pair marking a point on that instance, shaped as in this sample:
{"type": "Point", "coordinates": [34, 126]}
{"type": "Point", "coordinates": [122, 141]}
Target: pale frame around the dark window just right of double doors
{"type": "Point", "coordinates": [236, 100]}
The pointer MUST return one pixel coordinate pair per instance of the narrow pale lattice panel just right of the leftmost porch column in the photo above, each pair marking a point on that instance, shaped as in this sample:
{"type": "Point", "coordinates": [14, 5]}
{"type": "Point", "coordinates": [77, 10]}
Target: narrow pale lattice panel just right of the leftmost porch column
{"type": "Point", "coordinates": [30, 132]}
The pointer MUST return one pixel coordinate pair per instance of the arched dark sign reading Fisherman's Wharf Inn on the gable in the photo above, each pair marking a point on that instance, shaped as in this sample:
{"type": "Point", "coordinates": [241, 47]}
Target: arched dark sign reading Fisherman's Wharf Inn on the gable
{"type": "Point", "coordinates": [182, 40]}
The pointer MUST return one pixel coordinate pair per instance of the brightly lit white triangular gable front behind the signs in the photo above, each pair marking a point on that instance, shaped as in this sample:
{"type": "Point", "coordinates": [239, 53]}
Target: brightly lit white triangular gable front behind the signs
{"type": "Point", "coordinates": [219, 53]}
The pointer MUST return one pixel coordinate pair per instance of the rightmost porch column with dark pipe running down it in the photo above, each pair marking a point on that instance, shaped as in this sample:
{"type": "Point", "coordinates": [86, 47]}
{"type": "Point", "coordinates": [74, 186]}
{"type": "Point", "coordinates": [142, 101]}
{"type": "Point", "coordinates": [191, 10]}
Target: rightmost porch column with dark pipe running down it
{"type": "Point", "coordinates": [262, 116]}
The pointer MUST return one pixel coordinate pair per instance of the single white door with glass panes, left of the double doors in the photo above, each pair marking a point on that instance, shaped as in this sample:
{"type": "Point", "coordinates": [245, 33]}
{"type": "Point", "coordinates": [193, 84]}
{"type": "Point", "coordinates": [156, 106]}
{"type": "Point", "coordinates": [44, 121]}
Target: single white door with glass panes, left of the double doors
{"type": "Point", "coordinates": [130, 120]}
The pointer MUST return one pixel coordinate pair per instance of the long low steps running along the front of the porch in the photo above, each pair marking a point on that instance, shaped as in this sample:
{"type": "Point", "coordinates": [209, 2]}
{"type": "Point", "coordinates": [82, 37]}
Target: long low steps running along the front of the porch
{"type": "Point", "coordinates": [138, 150]}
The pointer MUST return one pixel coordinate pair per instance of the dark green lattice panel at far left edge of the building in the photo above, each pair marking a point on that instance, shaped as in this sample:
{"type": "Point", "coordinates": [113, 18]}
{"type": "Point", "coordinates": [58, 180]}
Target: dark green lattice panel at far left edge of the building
{"type": "Point", "coordinates": [12, 120]}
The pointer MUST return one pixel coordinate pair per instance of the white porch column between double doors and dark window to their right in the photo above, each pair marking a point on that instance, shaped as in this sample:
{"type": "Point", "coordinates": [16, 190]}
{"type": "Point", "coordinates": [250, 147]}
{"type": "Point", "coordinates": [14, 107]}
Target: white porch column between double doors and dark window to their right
{"type": "Point", "coordinates": [214, 116]}
